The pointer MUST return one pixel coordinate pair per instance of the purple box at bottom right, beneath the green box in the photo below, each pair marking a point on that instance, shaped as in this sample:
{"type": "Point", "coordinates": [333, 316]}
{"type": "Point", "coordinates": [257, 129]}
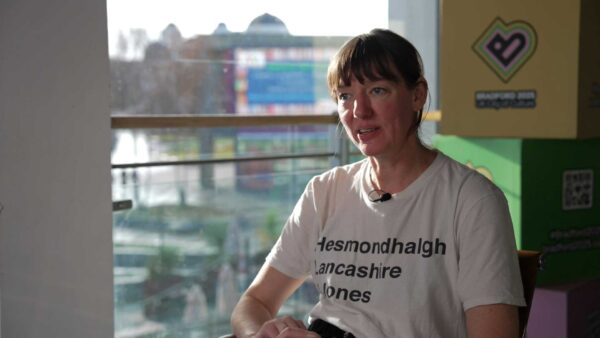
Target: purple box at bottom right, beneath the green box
{"type": "Point", "coordinates": [566, 311]}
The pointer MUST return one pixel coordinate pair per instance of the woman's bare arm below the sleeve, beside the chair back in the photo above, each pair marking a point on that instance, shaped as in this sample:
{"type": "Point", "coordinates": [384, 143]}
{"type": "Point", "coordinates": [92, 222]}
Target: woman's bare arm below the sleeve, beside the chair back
{"type": "Point", "coordinates": [492, 321]}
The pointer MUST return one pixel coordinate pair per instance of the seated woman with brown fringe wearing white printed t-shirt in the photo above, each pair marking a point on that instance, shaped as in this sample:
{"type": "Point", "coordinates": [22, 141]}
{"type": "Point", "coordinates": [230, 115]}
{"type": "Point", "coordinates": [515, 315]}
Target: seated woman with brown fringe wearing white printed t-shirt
{"type": "Point", "coordinates": [405, 243]}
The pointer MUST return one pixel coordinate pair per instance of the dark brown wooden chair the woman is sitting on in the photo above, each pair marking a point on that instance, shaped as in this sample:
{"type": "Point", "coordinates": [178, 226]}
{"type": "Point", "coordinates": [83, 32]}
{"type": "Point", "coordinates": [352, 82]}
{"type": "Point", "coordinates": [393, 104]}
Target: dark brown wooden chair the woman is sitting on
{"type": "Point", "coordinates": [529, 264]}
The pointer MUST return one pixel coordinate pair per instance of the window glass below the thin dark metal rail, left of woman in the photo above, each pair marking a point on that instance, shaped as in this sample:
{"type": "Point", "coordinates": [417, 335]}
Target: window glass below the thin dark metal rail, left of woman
{"type": "Point", "coordinates": [185, 252]}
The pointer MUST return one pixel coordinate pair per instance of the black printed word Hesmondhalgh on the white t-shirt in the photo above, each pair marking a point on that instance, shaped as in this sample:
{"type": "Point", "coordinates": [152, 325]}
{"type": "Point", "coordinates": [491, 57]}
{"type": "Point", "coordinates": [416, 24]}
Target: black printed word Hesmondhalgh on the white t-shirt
{"type": "Point", "coordinates": [422, 247]}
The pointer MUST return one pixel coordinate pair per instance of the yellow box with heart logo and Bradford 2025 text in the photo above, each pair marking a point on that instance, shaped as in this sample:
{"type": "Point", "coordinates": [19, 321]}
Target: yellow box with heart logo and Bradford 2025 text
{"type": "Point", "coordinates": [520, 68]}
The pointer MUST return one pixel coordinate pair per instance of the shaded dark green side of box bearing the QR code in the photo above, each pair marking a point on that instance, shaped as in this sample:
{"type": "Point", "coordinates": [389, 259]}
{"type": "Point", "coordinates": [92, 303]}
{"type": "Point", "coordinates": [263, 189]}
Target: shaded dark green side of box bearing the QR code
{"type": "Point", "coordinates": [569, 236]}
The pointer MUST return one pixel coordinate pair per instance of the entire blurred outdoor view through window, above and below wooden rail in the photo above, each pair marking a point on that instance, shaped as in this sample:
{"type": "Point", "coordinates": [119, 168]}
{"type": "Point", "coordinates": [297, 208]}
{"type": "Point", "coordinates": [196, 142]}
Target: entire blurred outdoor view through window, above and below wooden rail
{"type": "Point", "coordinates": [207, 203]}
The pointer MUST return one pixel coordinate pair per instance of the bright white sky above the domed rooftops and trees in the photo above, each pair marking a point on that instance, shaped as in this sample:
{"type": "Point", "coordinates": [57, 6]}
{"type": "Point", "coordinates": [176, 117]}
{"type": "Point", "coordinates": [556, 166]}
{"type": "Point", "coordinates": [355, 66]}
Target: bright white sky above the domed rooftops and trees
{"type": "Point", "coordinates": [193, 17]}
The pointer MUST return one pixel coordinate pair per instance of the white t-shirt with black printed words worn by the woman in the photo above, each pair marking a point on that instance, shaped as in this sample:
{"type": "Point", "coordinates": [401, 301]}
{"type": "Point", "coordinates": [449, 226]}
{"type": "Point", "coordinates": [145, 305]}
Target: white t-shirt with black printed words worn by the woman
{"type": "Point", "coordinates": [407, 267]}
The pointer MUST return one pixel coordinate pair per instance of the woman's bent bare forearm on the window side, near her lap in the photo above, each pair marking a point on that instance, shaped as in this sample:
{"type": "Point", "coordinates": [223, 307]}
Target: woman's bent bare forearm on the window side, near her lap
{"type": "Point", "coordinates": [261, 302]}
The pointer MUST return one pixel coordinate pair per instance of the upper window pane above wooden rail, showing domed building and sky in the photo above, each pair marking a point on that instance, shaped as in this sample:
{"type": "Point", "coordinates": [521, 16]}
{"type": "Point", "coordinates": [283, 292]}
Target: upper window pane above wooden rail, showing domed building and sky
{"type": "Point", "coordinates": [185, 57]}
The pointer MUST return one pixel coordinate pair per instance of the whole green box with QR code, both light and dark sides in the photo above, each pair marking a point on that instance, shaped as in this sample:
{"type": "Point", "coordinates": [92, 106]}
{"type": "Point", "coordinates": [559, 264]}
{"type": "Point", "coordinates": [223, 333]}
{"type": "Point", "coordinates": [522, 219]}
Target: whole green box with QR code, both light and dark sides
{"type": "Point", "coordinates": [552, 191]}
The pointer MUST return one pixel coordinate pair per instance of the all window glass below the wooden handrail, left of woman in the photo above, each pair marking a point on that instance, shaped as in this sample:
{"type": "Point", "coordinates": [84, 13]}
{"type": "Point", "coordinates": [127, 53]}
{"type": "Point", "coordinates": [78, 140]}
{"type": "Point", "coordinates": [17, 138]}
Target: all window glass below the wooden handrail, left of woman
{"type": "Point", "coordinates": [198, 233]}
